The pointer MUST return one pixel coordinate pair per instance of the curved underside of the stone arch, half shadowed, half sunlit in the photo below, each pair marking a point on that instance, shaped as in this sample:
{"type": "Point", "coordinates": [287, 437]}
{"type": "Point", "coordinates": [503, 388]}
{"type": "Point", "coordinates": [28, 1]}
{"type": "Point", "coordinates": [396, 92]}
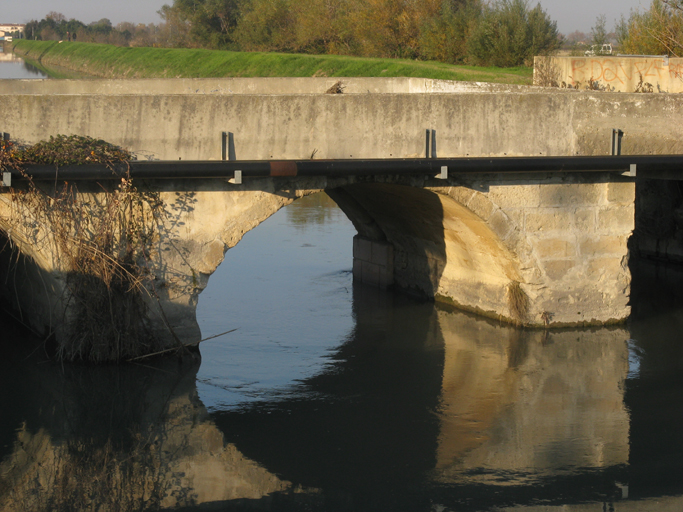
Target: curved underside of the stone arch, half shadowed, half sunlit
{"type": "Point", "coordinates": [462, 254]}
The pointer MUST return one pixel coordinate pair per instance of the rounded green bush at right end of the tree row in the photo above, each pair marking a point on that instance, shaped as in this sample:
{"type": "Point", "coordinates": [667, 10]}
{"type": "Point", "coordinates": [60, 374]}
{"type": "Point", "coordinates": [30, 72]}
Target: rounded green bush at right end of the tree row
{"type": "Point", "coordinates": [510, 34]}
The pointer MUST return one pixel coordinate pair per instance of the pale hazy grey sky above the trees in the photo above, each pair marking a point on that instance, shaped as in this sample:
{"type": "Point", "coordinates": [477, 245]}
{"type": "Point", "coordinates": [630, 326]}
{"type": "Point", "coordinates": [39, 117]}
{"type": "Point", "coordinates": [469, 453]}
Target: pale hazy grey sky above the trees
{"type": "Point", "coordinates": [570, 15]}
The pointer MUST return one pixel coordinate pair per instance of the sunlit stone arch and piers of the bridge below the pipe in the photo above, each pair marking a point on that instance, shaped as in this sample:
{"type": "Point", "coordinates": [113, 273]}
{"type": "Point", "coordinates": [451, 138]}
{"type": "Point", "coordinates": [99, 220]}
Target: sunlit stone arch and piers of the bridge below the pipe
{"type": "Point", "coordinates": [549, 250]}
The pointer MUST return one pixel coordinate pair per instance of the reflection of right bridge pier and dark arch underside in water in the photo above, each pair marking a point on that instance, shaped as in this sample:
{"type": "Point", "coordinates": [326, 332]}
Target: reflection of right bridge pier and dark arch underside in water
{"type": "Point", "coordinates": [426, 408]}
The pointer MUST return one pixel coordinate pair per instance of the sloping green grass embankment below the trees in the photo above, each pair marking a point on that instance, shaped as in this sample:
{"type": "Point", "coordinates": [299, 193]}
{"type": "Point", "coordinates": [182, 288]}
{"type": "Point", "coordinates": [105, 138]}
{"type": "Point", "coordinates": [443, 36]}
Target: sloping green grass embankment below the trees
{"type": "Point", "coordinates": [109, 61]}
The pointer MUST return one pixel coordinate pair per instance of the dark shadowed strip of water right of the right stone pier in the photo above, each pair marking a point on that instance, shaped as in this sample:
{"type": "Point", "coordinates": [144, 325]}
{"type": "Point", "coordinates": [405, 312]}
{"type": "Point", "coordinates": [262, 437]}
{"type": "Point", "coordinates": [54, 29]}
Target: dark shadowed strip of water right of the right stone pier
{"type": "Point", "coordinates": [654, 394]}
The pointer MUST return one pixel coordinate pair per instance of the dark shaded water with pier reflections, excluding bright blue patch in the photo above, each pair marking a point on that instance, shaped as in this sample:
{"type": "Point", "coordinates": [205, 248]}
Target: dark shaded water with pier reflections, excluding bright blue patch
{"type": "Point", "coordinates": [419, 408]}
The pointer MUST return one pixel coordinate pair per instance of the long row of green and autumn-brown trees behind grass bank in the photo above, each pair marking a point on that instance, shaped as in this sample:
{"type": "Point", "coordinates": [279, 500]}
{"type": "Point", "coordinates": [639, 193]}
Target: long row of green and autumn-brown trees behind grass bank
{"type": "Point", "coordinates": [491, 33]}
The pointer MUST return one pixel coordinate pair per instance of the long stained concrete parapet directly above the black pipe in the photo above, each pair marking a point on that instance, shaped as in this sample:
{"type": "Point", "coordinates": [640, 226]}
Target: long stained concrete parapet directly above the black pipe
{"type": "Point", "coordinates": [189, 126]}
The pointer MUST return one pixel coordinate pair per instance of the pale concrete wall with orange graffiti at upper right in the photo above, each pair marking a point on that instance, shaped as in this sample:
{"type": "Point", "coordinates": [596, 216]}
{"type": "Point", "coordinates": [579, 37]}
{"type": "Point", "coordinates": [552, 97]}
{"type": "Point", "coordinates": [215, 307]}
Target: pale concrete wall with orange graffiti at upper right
{"type": "Point", "coordinates": [620, 73]}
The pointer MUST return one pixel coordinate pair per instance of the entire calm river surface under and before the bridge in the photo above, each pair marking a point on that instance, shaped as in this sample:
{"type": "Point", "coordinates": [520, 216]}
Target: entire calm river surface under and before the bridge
{"type": "Point", "coordinates": [334, 396]}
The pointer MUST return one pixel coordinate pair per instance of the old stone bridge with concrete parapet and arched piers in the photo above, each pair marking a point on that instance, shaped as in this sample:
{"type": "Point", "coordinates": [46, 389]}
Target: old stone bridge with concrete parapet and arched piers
{"type": "Point", "coordinates": [535, 248]}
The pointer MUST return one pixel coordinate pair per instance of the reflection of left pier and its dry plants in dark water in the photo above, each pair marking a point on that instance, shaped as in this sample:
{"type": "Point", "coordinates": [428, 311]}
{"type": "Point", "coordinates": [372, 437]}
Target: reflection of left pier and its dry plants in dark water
{"type": "Point", "coordinates": [116, 438]}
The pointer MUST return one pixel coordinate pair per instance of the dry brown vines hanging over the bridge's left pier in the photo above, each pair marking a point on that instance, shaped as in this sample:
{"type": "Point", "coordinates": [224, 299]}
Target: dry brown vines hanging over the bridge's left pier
{"type": "Point", "coordinates": [100, 238]}
